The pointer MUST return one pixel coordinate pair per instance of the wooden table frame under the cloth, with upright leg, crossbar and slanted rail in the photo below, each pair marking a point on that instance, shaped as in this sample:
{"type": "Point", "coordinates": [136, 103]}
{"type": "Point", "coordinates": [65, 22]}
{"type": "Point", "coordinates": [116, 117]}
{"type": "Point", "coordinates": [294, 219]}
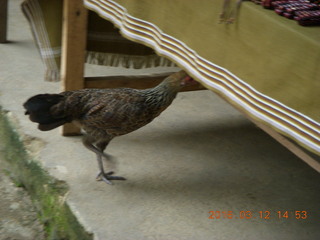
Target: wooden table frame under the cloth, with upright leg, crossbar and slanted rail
{"type": "Point", "coordinates": [72, 72]}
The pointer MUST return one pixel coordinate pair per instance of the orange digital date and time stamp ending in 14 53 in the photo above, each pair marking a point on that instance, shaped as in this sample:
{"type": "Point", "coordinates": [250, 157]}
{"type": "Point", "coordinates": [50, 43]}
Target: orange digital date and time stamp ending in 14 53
{"type": "Point", "coordinates": [299, 215]}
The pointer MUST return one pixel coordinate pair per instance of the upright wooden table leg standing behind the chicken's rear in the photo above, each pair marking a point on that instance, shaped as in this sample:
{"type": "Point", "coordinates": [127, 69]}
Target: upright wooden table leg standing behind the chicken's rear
{"type": "Point", "coordinates": [74, 37]}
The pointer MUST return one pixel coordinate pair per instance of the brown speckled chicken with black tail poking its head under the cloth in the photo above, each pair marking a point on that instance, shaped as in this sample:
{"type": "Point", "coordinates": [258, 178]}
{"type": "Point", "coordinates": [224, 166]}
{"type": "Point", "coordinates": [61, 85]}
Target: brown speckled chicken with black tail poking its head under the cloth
{"type": "Point", "coordinates": [103, 114]}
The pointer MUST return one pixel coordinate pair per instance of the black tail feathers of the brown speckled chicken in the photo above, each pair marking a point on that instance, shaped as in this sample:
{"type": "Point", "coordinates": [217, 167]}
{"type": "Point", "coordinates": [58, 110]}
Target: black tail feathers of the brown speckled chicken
{"type": "Point", "coordinates": [38, 108]}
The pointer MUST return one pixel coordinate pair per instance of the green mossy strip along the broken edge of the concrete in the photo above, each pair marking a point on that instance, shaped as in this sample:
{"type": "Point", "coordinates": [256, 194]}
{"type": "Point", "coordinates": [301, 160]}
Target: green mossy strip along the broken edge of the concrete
{"type": "Point", "coordinates": [47, 193]}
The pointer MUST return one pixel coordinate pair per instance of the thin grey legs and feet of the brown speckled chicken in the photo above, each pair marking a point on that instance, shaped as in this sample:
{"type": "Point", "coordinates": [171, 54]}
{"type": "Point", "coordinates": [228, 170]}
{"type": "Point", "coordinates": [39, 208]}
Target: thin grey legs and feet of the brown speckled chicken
{"type": "Point", "coordinates": [106, 177]}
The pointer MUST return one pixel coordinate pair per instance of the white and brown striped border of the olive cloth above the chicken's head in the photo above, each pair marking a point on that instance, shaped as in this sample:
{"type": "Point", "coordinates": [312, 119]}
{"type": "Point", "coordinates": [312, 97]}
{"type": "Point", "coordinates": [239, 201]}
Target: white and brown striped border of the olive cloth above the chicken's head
{"type": "Point", "coordinates": [286, 120]}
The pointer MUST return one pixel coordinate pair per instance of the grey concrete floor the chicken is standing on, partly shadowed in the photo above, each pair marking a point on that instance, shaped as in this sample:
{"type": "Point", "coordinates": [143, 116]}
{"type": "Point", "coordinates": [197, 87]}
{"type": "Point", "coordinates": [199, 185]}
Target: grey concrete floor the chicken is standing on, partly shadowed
{"type": "Point", "coordinates": [200, 155]}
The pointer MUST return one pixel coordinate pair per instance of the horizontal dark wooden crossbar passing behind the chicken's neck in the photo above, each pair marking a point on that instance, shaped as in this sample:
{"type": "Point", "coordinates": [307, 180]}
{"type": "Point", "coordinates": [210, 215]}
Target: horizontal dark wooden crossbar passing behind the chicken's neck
{"type": "Point", "coordinates": [137, 82]}
